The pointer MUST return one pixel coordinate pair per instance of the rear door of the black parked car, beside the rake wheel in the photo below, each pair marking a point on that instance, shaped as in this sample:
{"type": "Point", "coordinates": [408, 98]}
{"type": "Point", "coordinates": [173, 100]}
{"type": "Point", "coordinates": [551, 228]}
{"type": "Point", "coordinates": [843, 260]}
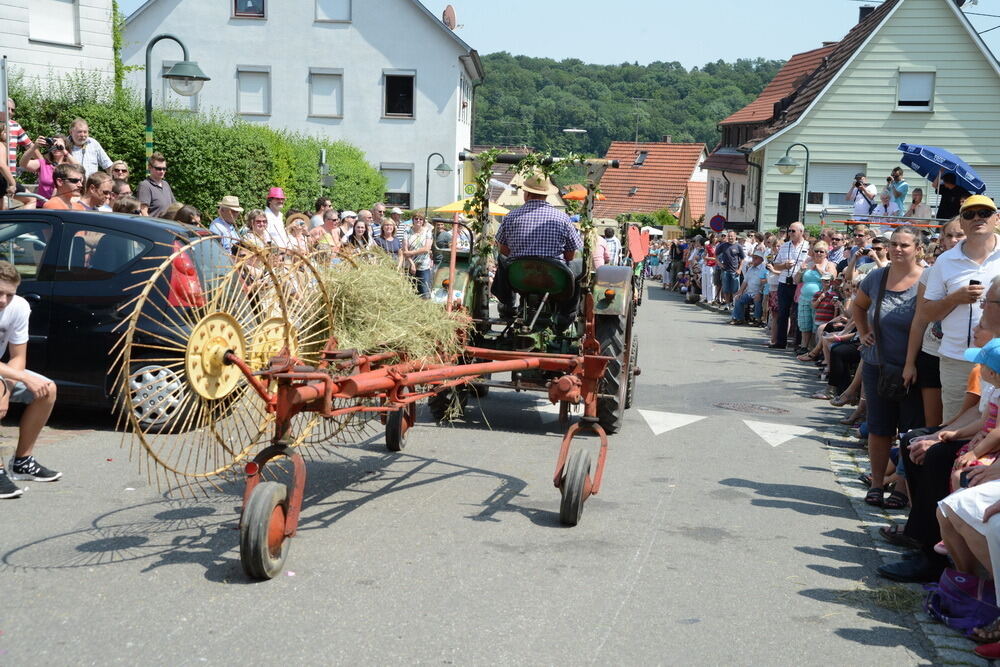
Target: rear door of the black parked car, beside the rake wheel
{"type": "Point", "coordinates": [91, 282]}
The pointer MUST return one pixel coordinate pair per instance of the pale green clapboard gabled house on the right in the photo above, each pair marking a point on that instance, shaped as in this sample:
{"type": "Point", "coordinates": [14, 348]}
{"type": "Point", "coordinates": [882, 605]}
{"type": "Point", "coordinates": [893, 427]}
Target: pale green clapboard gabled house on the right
{"type": "Point", "coordinates": [911, 71]}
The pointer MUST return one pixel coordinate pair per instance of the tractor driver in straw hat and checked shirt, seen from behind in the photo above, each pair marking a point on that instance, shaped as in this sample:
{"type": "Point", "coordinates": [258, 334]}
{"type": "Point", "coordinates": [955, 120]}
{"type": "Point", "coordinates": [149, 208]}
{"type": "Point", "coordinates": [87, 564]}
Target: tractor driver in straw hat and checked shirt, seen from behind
{"type": "Point", "coordinates": [536, 229]}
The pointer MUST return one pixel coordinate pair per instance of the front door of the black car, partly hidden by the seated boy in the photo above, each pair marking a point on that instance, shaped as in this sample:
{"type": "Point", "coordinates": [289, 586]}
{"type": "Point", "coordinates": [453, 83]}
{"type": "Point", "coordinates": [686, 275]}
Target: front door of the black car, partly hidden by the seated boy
{"type": "Point", "coordinates": [30, 242]}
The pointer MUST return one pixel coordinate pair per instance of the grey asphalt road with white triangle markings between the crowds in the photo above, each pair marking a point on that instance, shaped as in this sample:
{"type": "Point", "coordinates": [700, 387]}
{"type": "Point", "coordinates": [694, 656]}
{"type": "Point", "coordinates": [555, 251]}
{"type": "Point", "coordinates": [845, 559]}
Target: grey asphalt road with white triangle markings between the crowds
{"type": "Point", "coordinates": [706, 545]}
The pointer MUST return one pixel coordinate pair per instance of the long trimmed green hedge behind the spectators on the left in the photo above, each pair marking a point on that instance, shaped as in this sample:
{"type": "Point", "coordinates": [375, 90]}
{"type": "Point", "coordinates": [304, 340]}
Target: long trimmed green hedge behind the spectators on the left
{"type": "Point", "coordinates": [208, 156]}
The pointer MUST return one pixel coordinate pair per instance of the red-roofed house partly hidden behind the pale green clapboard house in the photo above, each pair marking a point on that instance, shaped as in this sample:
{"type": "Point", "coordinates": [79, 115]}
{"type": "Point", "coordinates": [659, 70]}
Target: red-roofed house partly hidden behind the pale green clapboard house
{"type": "Point", "coordinates": [733, 192]}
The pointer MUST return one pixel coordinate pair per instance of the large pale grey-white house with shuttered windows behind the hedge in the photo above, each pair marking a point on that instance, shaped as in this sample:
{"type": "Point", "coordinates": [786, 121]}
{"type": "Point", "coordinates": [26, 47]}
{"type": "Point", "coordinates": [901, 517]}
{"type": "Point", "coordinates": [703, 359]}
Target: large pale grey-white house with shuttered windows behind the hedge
{"type": "Point", "coordinates": [388, 77]}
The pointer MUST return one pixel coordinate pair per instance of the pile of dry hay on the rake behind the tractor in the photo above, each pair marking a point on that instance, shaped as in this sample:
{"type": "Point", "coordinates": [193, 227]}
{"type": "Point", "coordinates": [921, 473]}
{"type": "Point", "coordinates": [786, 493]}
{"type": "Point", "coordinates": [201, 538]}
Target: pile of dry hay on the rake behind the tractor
{"type": "Point", "coordinates": [375, 308]}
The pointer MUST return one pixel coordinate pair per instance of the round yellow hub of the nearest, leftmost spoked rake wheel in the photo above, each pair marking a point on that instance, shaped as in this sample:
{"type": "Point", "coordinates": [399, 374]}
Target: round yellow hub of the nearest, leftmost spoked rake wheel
{"type": "Point", "coordinates": [204, 360]}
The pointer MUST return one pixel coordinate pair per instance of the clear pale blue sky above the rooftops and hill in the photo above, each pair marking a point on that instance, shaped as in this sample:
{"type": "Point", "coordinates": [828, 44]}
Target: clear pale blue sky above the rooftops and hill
{"type": "Point", "coordinates": [692, 32]}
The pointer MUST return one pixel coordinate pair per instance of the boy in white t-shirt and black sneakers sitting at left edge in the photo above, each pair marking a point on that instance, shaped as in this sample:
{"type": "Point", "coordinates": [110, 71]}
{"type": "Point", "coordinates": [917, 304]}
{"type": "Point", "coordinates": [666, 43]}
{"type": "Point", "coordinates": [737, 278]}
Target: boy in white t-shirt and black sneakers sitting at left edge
{"type": "Point", "coordinates": [21, 386]}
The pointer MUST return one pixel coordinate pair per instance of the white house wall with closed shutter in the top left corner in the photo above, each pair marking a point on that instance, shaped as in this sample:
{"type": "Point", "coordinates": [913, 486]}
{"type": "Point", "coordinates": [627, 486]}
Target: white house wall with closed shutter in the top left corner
{"type": "Point", "coordinates": [46, 38]}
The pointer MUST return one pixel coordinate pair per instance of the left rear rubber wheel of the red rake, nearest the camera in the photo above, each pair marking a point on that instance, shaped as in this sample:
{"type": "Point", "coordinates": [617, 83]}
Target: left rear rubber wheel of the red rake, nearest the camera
{"type": "Point", "coordinates": [263, 545]}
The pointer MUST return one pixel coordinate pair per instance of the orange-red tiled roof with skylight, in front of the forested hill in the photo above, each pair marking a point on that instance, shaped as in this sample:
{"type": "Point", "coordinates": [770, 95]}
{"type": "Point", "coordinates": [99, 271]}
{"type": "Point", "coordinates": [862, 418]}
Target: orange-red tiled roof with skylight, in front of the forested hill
{"type": "Point", "coordinates": [659, 182]}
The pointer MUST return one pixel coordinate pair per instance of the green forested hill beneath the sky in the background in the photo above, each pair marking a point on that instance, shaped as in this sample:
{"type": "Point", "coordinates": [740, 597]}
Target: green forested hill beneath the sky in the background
{"type": "Point", "coordinates": [531, 100]}
